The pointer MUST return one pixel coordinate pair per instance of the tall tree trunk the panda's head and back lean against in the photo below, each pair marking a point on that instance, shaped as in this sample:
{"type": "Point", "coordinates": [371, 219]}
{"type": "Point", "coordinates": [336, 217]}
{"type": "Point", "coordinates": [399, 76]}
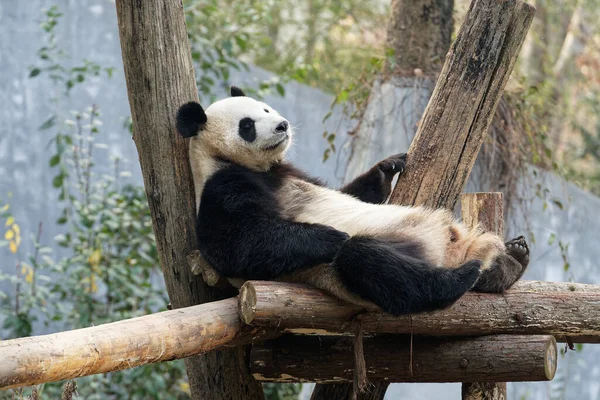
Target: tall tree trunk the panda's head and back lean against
{"type": "Point", "coordinates": [160, 77]}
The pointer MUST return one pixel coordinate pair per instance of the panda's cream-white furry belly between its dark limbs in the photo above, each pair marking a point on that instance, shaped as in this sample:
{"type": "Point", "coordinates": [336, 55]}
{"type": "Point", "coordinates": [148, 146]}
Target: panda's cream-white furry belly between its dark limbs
{"type": "Point", "coordinates": [305, 202]}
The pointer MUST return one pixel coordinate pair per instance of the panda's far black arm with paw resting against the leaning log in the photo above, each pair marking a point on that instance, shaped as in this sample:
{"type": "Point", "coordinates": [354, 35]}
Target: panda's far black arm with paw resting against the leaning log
{"type": "Point", "coordinates": [375, 185]}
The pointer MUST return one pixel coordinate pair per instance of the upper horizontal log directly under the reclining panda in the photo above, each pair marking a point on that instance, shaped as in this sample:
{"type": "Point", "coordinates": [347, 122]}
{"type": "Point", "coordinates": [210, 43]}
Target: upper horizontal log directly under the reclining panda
{"type": "Point", "coordinates": [530, 307]}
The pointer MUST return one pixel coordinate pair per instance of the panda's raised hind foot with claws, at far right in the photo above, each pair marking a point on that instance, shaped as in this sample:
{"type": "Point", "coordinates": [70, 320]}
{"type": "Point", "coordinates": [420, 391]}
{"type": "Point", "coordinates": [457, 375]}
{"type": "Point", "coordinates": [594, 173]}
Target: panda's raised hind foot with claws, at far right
{"type": "Point", "coordinates": [507, 268]}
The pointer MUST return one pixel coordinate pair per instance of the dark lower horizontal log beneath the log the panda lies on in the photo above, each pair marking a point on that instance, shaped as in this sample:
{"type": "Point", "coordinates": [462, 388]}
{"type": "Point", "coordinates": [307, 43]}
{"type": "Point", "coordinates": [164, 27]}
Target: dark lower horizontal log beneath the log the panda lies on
{"type": "Point", "coordinates": [497, 358]}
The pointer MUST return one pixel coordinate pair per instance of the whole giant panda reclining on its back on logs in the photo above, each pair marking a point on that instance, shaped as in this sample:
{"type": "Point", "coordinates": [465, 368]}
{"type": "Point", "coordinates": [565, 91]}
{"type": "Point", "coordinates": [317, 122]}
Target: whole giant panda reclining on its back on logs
{"type": "Point", "coordinates": [261, 218]}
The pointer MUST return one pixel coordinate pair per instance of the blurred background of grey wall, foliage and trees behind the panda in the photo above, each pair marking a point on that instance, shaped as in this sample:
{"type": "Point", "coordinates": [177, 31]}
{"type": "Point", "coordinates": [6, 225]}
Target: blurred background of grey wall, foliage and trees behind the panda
{"type": "Point", "coordinates": [353, 76]}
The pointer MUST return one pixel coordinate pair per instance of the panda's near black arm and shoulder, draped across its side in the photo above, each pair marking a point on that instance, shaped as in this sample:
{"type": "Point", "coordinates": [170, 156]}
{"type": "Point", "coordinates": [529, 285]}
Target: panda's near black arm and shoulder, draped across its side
{"type": "Point", "coordinates": [241, 234]}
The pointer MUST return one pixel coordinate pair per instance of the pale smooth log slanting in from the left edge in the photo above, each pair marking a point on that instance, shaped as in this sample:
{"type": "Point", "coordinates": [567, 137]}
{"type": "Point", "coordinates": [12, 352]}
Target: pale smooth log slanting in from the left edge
{"type": "Point", "coordinates": [125, 344]}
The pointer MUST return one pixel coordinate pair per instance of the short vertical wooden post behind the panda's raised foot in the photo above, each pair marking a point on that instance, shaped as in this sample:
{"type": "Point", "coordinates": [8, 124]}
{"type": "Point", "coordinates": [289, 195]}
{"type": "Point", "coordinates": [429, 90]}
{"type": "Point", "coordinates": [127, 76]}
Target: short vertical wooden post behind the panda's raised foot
{"type": "Point", "coordinates": [485, 209]}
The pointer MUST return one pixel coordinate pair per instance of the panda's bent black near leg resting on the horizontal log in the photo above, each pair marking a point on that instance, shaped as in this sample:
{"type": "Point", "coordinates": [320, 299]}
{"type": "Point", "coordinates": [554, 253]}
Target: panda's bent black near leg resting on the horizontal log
{"type": "Point", "coordinates": [390, 276]}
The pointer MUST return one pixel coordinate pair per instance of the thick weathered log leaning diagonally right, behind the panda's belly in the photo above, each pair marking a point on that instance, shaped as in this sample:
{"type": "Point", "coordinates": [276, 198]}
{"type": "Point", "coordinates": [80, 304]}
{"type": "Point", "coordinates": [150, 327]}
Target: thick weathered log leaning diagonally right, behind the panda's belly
{"type": "Point", "coordinates": [462, 105]}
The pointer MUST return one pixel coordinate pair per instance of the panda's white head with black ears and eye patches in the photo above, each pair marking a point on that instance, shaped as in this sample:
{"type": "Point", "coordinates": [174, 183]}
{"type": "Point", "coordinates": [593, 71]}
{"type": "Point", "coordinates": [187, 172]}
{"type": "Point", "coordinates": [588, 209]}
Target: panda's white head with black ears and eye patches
{"type": "Point", "coordinates": [239, 129]}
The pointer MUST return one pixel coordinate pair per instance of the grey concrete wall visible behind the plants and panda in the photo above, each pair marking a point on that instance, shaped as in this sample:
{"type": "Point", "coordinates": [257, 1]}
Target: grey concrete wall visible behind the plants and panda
{"type": "Point", "coordinates": [89, 30]}
